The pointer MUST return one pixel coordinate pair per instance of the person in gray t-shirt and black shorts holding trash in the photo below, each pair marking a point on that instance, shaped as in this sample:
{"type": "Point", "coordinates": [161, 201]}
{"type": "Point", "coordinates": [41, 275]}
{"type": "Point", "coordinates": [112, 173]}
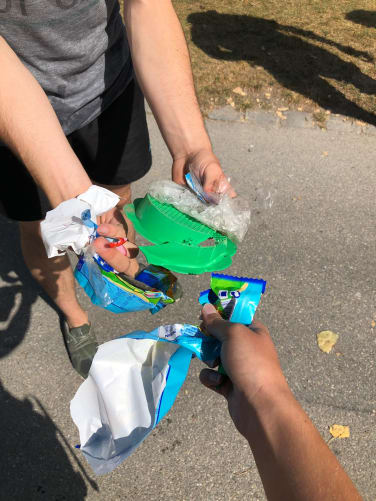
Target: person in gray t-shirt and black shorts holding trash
{"type": "Point", "coordinates": [77, 50]}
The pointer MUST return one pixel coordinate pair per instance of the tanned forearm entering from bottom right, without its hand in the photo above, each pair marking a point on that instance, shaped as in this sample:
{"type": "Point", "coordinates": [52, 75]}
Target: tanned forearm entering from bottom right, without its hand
{"type": "Point", "coordinates": [293, 460]}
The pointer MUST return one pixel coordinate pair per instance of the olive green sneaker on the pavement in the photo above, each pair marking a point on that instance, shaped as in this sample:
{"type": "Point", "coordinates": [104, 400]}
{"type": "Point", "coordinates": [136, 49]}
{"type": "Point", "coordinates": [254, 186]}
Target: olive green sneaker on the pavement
{"type": "Point", "coordinates": [81, 346]}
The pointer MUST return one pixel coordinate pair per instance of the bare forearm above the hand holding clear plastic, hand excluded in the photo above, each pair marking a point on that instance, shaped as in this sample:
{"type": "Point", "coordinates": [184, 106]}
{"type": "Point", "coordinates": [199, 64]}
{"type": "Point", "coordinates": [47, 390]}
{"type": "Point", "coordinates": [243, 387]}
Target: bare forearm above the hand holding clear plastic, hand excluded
{"type": "Point", "coordinates": [161, 61]}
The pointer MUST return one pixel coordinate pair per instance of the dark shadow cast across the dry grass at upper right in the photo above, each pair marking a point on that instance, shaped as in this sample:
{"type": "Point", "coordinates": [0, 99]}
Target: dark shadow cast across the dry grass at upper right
{"type": "Point", "coordinates": [295, 63]}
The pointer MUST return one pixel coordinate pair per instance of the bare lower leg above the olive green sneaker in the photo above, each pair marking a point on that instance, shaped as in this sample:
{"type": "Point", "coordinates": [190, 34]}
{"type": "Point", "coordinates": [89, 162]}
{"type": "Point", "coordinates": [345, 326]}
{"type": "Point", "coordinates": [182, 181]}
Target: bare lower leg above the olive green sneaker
{"type": "Point", "coordinates": [53, 274]}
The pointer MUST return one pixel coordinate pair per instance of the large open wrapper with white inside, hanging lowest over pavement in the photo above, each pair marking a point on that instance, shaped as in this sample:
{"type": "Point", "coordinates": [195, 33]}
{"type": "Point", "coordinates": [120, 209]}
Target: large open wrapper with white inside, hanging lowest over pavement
{"type": "Point", "coordinates": [116, 405]}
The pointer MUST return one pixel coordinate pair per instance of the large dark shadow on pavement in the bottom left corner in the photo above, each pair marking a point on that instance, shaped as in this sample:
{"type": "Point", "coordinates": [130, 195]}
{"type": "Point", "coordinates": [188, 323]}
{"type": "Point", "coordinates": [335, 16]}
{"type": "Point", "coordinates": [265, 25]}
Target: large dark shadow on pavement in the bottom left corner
{"type": "Point", "coordinates": [33, 463]}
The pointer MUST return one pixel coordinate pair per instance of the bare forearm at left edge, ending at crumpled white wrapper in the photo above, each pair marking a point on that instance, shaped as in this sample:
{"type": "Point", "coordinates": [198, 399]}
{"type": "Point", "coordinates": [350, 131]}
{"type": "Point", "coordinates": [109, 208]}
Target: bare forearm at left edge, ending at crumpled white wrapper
{"type": "Point", "coordinates": [29, 126]}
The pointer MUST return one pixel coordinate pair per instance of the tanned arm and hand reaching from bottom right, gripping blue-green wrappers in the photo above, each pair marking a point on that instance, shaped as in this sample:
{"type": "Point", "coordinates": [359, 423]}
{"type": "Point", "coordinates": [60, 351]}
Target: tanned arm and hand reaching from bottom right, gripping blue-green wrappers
{"type": "Point", "coordinates": [293, 460]}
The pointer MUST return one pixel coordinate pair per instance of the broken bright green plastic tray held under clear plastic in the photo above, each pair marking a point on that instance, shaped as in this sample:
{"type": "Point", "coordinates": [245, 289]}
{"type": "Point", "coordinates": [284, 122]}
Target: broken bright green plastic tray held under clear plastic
{"type": "Point", "coordinates": [183, 244]}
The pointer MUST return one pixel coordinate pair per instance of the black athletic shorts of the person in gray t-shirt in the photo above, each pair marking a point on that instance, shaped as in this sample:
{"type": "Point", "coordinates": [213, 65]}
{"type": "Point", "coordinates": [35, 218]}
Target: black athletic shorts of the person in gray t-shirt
{"type": "Point", "coordinates": [114, 149]}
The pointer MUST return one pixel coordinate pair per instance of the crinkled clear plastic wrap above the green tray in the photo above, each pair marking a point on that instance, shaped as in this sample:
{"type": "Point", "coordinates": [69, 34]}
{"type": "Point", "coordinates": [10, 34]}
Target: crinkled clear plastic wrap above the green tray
{"type": "Point", "coordinates": [230, 216]}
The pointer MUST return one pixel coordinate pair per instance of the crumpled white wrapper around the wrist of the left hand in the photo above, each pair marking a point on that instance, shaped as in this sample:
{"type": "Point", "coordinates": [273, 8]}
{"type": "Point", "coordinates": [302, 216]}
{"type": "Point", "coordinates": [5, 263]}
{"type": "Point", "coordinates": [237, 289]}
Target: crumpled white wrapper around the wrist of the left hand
{"type": "Point", "coordinates": [63, 227]}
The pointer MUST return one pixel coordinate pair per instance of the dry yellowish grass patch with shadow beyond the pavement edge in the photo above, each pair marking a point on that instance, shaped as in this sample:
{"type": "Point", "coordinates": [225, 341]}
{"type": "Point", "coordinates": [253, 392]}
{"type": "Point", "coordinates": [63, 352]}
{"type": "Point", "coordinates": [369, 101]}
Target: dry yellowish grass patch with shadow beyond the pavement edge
{"type": "Point", "coordinates": [308, 55]}
